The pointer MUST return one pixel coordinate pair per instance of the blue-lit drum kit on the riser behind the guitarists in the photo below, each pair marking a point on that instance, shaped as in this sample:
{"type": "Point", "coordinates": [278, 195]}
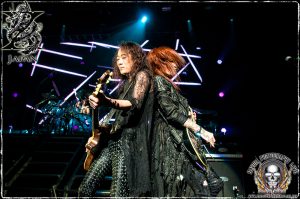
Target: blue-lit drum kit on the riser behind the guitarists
{"type": "Point", "coordinates": [71, 118]}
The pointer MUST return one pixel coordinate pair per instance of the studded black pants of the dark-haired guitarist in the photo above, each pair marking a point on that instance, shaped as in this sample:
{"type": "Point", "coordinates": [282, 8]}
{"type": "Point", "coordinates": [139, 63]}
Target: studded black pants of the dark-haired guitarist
{"type": "Point", "coordinates": [112, 157]}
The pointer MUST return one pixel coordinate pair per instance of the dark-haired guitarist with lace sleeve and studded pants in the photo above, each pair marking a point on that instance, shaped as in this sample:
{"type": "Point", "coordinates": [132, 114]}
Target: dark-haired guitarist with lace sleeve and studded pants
{"type": "Point", "coordinates": [127, 153]}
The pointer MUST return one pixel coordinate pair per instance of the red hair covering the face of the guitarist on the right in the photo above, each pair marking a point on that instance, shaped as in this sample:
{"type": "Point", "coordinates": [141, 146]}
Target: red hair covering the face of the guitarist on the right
{"type": "Point", "coordinates": [166, 62]}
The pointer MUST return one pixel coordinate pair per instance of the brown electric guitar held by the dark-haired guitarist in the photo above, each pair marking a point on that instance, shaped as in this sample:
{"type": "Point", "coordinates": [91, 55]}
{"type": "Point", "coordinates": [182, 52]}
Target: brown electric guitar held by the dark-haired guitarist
{"type": "Point", "coordinates": [96, 134]}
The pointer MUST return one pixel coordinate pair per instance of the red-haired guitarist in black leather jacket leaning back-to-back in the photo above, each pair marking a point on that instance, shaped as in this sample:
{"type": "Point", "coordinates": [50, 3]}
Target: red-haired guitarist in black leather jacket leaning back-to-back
{"type": "Point", "coordinates": [179, 166]}
